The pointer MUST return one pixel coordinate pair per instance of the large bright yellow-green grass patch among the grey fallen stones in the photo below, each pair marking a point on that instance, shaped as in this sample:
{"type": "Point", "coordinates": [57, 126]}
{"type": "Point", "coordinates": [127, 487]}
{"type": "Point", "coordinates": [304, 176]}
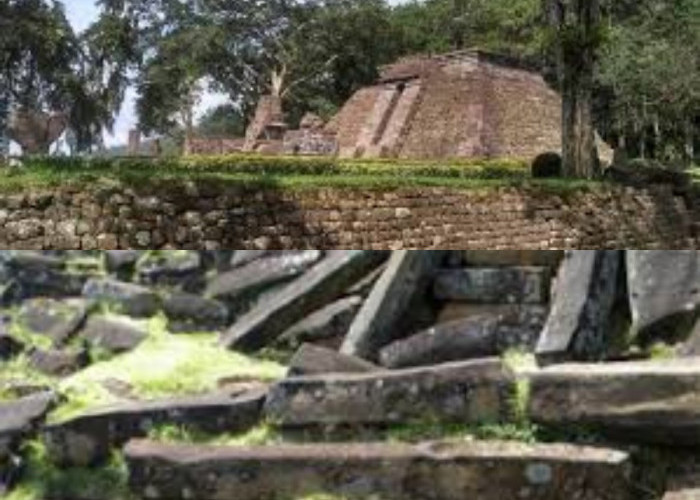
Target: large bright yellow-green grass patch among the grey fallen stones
{"type": "Point", "coordinates": [163, 365]}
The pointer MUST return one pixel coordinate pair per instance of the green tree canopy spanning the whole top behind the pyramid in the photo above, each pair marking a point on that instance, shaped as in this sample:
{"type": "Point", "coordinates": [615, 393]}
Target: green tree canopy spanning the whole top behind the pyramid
{"type": "Point", "coordinates": [644, 67]}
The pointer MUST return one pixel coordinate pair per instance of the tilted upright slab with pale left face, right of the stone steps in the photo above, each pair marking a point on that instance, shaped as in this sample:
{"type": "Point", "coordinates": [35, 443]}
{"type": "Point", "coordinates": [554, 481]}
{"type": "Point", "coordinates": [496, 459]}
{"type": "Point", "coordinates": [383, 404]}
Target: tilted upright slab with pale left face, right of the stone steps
{"type": "Point", "coordinates": [580, 324]}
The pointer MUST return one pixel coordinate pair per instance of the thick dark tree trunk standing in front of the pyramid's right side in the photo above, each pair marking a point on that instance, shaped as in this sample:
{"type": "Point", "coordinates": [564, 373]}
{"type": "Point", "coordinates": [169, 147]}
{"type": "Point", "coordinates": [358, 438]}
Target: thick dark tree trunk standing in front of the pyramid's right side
{"type": "Point", "coordinates": [576, 23]}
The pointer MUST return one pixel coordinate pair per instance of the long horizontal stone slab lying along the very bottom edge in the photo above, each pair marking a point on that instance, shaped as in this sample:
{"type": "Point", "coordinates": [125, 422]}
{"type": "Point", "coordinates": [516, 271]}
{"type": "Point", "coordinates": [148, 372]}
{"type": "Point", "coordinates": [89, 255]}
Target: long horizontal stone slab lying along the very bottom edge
{"type": "Point", "coordinates": [390, 471]}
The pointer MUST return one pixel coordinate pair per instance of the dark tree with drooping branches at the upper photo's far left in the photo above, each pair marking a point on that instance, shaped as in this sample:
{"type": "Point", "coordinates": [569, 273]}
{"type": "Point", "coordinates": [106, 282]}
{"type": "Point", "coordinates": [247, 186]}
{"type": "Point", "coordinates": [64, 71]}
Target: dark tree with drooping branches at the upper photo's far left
{"type": "Point", "coordinates": [44, 70]}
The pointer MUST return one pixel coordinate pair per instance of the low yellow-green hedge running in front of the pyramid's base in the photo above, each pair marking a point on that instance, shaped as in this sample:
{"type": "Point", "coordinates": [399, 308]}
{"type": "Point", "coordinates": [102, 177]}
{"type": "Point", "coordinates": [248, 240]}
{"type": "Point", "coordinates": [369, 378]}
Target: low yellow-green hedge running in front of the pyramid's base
{"type": "Point", "coordinates": [283, 166]}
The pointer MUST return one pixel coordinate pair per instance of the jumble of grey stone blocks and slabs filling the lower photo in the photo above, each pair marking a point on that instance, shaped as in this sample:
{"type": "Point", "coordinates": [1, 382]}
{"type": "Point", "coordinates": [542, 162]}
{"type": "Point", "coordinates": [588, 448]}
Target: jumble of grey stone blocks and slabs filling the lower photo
{"type": "Point", "coordinates": [385, 339]}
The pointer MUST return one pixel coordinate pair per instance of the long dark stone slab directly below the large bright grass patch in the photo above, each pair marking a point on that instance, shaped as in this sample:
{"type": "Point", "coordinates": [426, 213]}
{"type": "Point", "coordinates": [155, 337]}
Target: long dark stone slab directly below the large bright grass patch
{"type": "Point", "coordinates": [89, 439]}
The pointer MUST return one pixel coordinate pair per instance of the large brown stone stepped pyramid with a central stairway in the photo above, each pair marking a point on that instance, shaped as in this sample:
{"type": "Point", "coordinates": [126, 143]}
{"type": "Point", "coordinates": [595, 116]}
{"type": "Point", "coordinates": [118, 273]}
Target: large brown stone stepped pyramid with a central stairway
{"type": "Point", "coordinates": [459, 105]}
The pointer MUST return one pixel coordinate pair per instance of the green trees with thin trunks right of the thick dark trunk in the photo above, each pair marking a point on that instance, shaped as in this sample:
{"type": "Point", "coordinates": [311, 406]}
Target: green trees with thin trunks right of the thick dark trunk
{"type": "Point", "coordinates": [650, 68]}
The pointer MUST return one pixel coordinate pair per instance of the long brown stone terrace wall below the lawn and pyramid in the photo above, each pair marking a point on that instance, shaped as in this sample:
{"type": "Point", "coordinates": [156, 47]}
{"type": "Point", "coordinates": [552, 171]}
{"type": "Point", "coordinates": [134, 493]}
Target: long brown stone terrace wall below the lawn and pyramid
{"type": "Point", "coordinates": [206, 215]}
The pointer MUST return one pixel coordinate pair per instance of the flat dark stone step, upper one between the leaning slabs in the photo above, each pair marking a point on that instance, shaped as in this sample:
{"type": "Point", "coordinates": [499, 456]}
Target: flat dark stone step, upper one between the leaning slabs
{"type": "Point", "coordinates": [494, 285]}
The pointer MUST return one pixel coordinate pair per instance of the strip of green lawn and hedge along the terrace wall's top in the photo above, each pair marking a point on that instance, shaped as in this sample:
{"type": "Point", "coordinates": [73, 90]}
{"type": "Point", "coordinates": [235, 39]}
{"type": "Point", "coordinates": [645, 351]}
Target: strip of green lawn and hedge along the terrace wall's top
{"type": "Point", "coordinates": [280, 172]}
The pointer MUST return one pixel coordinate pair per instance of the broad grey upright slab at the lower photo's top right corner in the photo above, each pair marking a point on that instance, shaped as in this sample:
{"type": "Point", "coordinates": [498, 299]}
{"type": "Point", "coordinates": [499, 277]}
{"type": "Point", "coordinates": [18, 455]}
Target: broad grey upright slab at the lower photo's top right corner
{"type": "Point", "coordinates": [664, 290]}
